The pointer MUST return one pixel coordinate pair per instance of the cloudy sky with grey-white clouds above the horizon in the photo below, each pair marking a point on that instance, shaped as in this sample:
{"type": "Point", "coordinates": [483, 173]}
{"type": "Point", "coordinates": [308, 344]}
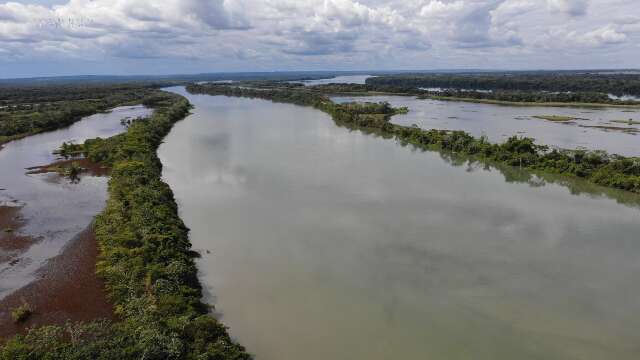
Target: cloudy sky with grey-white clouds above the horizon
{"type": "Point", "coordinates": [49, 37]}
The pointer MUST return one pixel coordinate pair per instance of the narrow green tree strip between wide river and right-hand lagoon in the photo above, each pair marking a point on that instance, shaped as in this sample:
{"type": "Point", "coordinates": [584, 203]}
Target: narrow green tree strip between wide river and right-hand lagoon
{"type": "Point", "coordinates": [596, 166]}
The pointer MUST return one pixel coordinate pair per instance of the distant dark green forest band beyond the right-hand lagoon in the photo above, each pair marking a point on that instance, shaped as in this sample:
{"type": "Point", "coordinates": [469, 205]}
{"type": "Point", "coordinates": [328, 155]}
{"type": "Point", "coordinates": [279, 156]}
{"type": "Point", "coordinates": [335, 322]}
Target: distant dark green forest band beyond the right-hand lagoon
{"type": "Point", "coordinates": [618, 84]}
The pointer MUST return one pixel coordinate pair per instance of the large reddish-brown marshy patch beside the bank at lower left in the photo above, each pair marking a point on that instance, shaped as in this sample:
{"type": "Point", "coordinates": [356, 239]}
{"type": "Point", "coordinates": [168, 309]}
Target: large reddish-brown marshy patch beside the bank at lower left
{"type": "Point", "coordinates": [67, 289]}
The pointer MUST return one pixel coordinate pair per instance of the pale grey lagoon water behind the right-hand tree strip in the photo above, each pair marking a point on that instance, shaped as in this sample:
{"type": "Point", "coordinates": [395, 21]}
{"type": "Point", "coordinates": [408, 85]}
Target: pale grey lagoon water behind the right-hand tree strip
{"type": "Point", "coordinates": [500, 122]}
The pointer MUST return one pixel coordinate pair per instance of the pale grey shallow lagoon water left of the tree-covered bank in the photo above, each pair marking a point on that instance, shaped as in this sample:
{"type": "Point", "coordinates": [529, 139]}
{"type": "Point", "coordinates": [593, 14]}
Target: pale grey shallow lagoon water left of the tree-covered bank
{"type": "Point", "coordinates": [53, 210]}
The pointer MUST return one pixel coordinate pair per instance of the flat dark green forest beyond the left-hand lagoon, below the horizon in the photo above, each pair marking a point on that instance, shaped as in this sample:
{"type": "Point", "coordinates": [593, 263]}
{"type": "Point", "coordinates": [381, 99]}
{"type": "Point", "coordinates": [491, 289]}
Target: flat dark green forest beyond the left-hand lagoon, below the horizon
{"type": "Point", "coordinates": [29, 110]}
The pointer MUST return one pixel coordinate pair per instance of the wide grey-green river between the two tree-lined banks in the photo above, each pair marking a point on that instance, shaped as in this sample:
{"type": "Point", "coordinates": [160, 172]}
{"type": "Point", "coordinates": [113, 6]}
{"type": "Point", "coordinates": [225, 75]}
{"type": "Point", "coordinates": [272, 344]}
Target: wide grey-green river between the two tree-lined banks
{"type": "Point", "coordinates": [322, 243]}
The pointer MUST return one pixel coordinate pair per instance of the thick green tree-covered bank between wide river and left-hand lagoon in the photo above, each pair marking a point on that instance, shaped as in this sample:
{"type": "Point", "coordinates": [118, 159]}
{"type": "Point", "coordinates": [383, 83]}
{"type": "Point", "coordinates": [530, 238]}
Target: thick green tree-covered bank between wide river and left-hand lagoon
{"type": "Point", "coordinates": [145, 259]}
